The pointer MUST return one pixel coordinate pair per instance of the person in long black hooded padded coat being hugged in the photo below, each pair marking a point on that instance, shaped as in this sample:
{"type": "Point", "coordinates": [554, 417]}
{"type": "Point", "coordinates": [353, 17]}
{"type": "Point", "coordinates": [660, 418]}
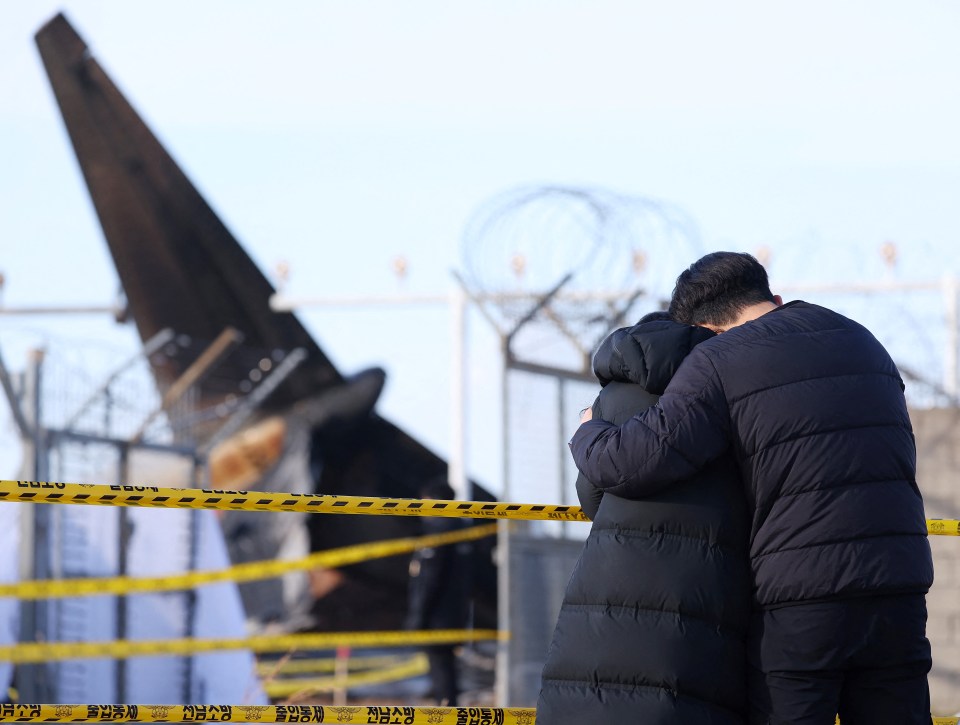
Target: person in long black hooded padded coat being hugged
{"type": "Point", "coordinates": [654, 621]}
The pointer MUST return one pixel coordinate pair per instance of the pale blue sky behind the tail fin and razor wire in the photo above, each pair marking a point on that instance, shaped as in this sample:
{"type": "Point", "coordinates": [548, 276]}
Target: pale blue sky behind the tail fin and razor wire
{"type": "Point", "coordinates": [337, 135]}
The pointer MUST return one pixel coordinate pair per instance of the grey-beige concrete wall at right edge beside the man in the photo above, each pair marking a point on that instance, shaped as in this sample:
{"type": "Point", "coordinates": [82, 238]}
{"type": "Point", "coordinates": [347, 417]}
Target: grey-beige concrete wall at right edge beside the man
{"type": "Point", "coordinates": [938, 474]}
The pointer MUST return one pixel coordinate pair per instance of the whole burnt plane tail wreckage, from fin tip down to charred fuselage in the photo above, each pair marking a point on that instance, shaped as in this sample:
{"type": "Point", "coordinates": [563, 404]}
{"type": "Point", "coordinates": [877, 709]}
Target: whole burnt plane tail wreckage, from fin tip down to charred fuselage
{"type": "Point", "coordinates": [314, 431]}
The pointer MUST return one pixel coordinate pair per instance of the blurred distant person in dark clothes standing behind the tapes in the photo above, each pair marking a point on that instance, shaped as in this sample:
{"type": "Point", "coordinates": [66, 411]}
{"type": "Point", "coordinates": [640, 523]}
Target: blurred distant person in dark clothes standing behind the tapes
{"type": "Point", "coordinates": [439, 597]}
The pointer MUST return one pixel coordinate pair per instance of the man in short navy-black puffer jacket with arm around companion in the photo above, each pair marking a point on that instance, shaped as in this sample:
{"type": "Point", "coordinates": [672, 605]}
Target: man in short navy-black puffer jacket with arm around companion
{"type": "Point", "coordinates": [812, 408]}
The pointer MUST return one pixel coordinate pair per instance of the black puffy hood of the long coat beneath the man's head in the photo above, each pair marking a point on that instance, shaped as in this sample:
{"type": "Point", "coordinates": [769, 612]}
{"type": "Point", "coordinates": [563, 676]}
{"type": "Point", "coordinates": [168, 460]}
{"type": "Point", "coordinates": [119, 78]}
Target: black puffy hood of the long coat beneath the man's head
{"type": "Point", "coordinates": [647, 354]}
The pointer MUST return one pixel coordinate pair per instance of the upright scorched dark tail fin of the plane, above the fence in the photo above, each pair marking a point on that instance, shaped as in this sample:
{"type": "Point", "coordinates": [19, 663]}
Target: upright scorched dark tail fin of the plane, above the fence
{"type": "Point", "coordinates": [179, 265]}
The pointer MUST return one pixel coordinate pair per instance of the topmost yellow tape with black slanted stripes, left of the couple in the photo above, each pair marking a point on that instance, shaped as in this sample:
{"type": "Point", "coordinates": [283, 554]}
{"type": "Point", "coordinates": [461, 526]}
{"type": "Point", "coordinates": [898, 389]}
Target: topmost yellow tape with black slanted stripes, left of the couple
{"type": "Point", "coordinates": [158, 497]}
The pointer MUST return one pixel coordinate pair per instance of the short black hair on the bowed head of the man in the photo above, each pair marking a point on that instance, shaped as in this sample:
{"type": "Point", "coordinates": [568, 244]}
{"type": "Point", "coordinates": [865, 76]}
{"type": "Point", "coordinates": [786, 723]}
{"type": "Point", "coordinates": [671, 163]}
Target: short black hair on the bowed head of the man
{"type": "Point", "coordinates": [717, 287]}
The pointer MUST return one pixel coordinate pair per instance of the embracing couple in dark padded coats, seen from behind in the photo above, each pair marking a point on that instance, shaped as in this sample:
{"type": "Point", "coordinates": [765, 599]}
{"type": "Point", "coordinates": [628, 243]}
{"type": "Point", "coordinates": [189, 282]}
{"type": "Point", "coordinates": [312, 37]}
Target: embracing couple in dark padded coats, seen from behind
{"type": "Point", "coordinates": [759, 549]}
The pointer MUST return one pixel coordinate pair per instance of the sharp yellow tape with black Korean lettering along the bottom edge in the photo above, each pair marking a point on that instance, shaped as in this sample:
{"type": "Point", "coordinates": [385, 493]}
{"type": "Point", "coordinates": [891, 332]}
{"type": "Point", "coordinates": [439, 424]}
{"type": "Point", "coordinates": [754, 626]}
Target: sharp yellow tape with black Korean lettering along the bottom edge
{"type": "Point", "coordinates": [345, 715]}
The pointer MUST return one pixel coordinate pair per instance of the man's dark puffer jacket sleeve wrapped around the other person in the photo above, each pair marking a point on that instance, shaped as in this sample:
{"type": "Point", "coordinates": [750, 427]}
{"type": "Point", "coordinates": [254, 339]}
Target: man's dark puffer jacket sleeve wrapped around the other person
{"type": "Point", "coordinates": [688, 428]}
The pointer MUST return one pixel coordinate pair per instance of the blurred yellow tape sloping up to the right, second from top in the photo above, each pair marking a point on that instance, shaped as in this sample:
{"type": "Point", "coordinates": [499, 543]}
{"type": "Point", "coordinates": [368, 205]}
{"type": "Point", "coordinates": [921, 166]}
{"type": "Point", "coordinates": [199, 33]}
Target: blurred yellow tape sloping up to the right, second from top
{"type": "Point", "coordinates": [330, 559]}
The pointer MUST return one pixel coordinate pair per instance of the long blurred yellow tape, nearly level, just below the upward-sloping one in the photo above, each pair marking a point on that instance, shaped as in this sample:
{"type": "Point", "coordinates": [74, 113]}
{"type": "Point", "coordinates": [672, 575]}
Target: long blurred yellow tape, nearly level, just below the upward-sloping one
{"type": "Point", "coordinates": [122, 649]}
